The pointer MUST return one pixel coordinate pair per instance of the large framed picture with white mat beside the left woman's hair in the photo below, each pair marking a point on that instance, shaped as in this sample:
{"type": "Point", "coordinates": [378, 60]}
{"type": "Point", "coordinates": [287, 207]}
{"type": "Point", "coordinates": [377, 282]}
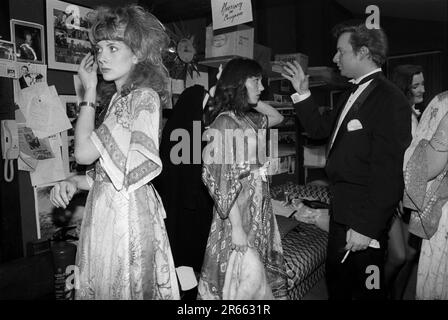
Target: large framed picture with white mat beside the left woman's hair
{"type": "Point", "coordinates": [67, 34]}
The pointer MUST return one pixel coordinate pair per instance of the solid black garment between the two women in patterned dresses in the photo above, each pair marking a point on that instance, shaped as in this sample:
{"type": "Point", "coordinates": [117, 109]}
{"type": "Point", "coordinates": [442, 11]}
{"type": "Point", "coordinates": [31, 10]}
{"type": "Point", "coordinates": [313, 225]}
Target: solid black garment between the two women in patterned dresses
{"type": "Point", "coordinates": [188, 205]}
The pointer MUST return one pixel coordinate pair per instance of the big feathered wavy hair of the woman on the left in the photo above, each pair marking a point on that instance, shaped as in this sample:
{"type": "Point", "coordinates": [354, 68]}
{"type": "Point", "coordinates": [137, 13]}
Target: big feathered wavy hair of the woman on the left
{"type": "Point", "coordinates": [144, 34]}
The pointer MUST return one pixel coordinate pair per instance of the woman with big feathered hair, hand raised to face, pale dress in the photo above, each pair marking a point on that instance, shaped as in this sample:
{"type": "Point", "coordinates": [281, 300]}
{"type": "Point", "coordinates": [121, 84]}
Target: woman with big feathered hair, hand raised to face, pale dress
{"type": "Point", "coordinates": [123, 251]}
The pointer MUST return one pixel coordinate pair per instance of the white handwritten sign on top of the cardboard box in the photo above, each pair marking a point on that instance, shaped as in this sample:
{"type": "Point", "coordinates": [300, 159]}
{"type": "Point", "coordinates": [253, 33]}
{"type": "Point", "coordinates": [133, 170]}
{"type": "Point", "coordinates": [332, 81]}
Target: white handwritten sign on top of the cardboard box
{"type": "Point", "coordinates": [227, 13]}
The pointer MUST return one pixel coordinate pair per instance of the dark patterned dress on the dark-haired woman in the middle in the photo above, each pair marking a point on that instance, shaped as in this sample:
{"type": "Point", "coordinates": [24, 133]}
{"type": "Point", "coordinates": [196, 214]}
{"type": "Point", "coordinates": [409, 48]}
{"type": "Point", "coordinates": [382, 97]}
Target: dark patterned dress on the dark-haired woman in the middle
{"type": "Point", "coordinates": [244, 184]}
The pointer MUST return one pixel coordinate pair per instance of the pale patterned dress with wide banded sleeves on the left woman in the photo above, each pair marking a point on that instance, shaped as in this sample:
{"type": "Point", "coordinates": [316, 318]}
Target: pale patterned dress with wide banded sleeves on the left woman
{"type": "Point", "coordinates": [123, 251]}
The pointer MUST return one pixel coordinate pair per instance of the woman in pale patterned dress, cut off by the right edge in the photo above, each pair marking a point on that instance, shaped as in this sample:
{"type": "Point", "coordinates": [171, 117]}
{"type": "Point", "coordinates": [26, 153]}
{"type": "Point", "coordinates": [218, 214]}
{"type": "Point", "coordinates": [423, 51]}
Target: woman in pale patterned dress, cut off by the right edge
{"type": "Point", "coordinates": [426, 193]}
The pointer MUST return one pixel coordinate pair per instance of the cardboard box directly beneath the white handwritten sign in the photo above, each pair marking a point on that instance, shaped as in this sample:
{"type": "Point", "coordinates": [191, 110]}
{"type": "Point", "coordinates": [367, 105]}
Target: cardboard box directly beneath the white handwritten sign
{"type": "Point", "coordinates": [238, 40]}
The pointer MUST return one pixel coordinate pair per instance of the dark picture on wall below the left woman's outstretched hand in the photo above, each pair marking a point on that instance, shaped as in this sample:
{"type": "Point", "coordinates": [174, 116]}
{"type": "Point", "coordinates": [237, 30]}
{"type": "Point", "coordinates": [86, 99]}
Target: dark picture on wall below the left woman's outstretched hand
{"type": "Point", "coordinates": [53, 222]}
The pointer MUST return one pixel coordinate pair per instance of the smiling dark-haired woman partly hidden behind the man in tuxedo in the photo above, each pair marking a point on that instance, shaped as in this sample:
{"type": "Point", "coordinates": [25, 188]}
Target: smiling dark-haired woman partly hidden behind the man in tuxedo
{"type": "Point", "coordinates": [403, 247]}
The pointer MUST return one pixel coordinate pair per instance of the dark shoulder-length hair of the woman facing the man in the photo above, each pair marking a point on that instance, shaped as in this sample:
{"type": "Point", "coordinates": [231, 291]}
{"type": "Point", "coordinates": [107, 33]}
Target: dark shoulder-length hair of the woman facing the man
{"type": "Point", "coordinates": [231, 93]}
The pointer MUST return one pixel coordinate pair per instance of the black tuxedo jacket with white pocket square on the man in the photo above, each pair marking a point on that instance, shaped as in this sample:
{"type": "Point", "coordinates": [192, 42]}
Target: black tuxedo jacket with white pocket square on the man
{"type": "Point", "coordinates": [364, 166]}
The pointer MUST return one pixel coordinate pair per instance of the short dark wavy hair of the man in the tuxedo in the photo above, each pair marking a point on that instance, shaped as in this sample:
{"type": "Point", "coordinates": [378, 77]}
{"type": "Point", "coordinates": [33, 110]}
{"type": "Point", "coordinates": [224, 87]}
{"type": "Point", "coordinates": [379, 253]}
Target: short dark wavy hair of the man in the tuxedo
{"type": "Point", "coordinates": [360, 36]}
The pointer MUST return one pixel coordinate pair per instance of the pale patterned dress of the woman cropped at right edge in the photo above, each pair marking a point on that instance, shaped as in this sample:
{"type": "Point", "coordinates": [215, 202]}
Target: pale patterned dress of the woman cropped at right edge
{"type": "Point", "coordinates": [432, 275]}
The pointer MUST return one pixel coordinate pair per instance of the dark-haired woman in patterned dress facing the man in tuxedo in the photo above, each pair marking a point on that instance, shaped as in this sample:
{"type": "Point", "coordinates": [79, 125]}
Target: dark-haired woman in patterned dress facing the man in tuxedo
{"type": "Point", "coordinates": [236, 179]}
